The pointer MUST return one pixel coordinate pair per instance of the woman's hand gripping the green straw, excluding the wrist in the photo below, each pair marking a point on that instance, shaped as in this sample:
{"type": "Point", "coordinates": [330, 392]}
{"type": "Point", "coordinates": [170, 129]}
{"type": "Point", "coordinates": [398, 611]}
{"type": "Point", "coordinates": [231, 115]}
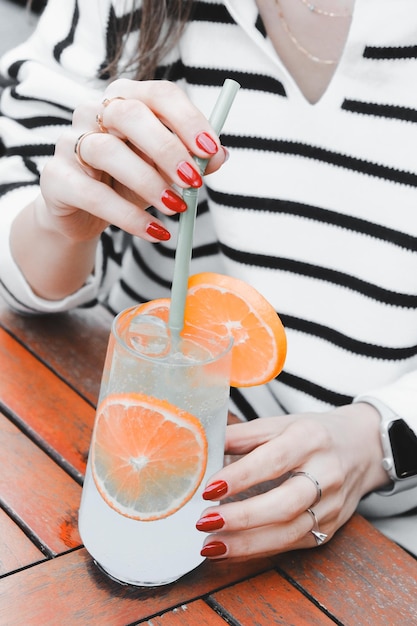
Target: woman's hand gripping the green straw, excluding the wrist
{"type": "Point", "coordinates": [151, 130]}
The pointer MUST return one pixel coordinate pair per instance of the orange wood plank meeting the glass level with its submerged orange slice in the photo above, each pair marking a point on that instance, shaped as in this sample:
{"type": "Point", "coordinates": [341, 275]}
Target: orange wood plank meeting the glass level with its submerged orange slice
{"type": "Point", "coordinates": [45, 403]}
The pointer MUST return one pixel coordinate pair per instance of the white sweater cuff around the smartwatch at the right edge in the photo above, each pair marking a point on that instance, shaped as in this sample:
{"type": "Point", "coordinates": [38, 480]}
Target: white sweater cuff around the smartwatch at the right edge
{"type": "Point", "coordinates": [401, 397]}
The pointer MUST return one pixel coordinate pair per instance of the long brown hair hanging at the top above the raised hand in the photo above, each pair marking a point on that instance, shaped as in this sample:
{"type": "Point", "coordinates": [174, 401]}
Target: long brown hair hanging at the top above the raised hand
{"type": "Point", "coordinates": [161, 23]}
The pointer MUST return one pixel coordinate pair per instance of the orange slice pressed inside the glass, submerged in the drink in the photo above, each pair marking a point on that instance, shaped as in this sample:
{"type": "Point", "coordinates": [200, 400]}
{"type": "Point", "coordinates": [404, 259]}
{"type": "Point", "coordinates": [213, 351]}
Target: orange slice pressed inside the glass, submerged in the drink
{"type": "Point", "coordinates": [148, 456]}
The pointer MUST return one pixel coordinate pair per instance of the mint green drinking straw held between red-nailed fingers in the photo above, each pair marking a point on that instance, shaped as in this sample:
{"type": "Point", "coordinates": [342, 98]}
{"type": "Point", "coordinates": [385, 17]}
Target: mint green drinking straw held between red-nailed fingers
{"type": "Point", "coordinates": [187, 219]}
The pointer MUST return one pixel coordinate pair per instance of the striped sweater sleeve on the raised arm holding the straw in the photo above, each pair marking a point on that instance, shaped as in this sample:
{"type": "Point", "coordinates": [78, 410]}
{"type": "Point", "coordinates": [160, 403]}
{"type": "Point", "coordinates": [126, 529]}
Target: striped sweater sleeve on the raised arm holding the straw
{"type": "Point", "coordinates": [51, 73]}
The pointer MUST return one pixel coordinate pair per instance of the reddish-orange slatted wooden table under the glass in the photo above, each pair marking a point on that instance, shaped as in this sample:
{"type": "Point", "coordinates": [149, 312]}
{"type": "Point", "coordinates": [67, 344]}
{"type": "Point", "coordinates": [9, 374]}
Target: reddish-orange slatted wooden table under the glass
{"type": "Point", "coordinates": [49, 379]}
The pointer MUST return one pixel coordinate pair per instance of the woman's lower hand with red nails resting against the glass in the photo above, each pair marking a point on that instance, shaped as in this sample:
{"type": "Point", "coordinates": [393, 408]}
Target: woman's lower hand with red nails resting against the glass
{"type": "Point", "coordinates": [339, 450]}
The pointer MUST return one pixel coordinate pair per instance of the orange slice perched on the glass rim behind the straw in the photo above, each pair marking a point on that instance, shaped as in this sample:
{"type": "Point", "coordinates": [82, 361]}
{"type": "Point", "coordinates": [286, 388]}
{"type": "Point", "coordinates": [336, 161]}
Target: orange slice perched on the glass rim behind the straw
{"type": "Point", "coordinates": [226, 305]}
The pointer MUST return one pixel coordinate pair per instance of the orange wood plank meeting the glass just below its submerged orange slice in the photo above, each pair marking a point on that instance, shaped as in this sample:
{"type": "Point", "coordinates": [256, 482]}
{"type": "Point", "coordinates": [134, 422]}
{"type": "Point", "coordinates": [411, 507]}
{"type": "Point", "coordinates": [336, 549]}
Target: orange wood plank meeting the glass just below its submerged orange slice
{"type": "Point", "coordinates": [39, 492]}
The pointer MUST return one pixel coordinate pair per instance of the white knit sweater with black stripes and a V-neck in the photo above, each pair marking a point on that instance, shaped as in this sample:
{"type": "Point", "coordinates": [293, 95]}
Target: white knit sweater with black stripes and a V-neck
{"type": "Point", "coordinates": [316, 207]}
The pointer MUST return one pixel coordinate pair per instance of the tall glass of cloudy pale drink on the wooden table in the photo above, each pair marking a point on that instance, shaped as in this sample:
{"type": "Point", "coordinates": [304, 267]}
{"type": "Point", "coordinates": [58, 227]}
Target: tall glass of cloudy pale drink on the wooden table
{"type": "Point", "coordinates": [191, 375]}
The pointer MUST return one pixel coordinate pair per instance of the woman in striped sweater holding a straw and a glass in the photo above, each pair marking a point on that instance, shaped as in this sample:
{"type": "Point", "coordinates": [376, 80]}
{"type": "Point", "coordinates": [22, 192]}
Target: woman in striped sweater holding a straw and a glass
{"type": "Point", "coordinates": [315, 207]}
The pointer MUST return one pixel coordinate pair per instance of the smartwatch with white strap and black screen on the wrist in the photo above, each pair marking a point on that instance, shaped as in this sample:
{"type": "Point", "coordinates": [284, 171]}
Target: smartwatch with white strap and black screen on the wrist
{"type": "Point", "coordinates": [399, 444]}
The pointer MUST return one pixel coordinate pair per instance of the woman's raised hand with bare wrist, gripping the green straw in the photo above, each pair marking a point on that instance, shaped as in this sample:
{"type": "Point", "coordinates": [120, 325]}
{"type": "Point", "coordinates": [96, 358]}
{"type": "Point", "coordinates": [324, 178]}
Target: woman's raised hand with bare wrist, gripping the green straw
{"type": "Point", "coordinates": [121, 155]}
